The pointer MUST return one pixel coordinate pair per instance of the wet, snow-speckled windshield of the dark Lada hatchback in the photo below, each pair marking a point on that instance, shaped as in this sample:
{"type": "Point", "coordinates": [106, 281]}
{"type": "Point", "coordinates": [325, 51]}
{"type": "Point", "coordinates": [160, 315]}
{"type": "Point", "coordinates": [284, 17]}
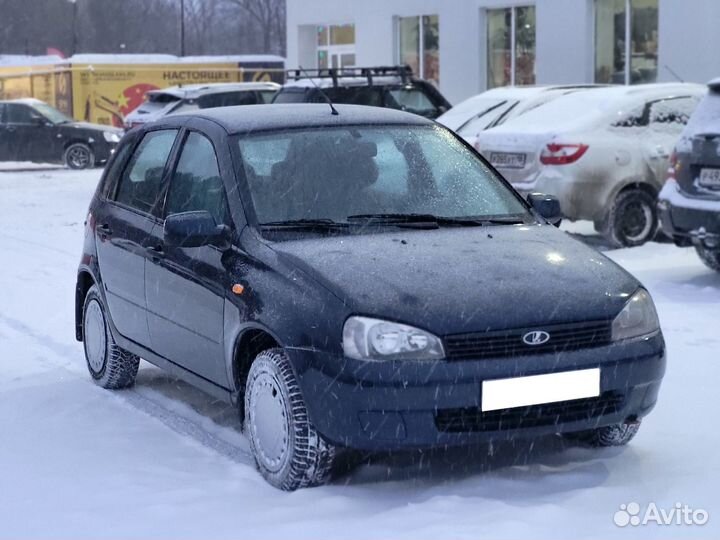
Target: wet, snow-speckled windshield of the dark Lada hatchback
{"type": "Point", "coordinates": [341, 174]}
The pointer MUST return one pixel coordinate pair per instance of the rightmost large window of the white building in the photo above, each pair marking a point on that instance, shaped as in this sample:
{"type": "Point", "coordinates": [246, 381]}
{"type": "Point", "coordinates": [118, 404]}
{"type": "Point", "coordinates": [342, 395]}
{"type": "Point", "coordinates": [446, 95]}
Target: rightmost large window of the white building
{"type": "Point", "coordinates": [626, 29]}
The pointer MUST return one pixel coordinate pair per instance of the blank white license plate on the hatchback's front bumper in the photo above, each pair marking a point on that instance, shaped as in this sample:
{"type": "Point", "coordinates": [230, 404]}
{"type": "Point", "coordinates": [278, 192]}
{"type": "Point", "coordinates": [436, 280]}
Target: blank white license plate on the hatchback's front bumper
{"type": "Point", "coordinates": [538, 389]}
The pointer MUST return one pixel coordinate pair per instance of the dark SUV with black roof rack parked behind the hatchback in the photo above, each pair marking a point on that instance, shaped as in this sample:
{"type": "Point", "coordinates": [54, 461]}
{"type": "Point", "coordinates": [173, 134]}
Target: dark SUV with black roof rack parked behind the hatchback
{"type": "Point", "coordinates": [391, 87]}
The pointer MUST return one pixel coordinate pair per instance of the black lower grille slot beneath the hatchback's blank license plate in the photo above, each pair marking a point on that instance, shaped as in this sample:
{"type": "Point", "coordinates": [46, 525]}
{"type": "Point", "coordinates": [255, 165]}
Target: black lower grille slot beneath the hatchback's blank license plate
{"type": "Point", "coordinates": [468, 420]}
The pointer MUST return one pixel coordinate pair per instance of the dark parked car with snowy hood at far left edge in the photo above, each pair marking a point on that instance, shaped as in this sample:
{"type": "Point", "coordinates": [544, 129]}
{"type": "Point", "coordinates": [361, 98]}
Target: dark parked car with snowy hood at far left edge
{"type": "Point", "coordinates": [31, 130]}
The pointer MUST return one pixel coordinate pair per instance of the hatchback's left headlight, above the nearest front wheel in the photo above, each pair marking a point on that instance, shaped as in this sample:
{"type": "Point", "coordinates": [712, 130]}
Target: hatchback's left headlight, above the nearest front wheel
{"type": "Point", "coordinates": [374, 339]}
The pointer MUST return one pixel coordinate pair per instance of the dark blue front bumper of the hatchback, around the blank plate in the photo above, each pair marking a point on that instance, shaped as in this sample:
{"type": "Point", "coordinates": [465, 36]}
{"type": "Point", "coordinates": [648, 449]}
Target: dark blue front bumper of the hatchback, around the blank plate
{"type": "Point", "coordinates": [374, 406]}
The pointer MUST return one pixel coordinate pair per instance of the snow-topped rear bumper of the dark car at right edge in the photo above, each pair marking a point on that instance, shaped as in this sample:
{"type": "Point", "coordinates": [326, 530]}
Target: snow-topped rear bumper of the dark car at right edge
{"type": "Point", "coordinates": [689, 220]}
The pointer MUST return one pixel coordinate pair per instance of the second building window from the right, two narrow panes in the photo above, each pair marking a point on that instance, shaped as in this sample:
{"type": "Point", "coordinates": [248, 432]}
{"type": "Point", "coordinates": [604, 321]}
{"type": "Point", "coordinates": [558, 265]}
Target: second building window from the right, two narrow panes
{"type": "Point", "coordinates": [511, 46]}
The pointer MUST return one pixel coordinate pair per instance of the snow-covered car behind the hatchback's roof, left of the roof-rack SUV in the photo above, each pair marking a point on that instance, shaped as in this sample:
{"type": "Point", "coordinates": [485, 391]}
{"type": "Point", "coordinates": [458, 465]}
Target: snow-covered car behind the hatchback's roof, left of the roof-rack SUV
{"type": "Point", "coordinates": [180, 99]}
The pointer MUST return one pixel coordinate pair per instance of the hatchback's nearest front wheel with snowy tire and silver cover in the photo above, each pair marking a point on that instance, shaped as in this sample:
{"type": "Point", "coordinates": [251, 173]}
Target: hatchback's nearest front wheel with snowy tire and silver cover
{"type": "Point", "coordinates": [288, 450]}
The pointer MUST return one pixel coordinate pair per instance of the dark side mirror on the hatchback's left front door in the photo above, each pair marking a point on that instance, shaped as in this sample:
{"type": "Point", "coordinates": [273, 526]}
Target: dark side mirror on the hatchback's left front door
{"type": "Point", "coordinates": [195, 229]}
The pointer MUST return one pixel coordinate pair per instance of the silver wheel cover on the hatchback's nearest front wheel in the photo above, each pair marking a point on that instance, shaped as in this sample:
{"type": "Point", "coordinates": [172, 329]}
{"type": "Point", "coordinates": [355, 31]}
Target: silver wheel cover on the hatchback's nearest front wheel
{"type": "Point", "coordinates": [269, 422]}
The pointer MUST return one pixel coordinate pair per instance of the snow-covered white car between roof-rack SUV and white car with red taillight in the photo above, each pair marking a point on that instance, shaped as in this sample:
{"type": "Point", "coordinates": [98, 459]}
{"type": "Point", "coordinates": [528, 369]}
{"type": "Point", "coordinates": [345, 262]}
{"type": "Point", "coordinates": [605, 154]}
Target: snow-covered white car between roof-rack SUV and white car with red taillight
{"type": "Point", "coordinates": [497, 106]}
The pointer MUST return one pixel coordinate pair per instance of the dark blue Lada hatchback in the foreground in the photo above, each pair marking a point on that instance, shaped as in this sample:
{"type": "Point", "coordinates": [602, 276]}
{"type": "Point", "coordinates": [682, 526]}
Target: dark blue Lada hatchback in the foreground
{"type": "Point", "coordinates": [356, 280]}
